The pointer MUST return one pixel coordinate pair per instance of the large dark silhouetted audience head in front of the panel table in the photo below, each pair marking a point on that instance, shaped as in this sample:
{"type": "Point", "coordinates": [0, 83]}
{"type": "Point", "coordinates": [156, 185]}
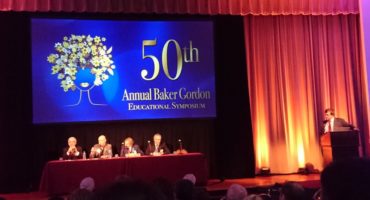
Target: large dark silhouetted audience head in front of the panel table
{"type": "Point", "coordinates": [130, 189]}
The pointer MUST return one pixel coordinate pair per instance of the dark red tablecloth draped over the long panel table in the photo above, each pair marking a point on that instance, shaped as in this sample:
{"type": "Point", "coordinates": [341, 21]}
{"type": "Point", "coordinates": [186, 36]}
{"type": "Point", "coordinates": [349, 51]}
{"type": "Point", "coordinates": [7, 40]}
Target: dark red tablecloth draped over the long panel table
{"type": "Point", "coordinates": [60, 177]}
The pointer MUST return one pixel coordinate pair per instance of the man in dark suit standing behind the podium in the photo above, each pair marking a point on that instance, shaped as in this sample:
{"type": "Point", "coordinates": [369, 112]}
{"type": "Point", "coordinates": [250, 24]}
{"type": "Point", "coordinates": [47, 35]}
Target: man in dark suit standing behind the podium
{"type": "Point", "coordinates": [331, 123]}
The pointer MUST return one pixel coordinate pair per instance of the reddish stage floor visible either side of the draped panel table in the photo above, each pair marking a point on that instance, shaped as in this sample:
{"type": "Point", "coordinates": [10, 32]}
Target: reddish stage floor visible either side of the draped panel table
{"type": "Point", "coordinates": [215, 186]}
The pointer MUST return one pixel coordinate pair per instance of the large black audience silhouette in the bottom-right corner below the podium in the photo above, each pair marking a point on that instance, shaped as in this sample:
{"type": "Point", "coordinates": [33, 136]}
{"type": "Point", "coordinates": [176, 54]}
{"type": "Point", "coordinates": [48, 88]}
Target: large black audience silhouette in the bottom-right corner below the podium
{"type": "Point", "coordinates": [345, 180]}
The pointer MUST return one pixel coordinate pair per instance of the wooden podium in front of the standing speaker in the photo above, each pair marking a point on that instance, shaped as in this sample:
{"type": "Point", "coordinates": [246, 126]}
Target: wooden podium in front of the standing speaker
{"type": "Point", "coordinates": [339, 145]}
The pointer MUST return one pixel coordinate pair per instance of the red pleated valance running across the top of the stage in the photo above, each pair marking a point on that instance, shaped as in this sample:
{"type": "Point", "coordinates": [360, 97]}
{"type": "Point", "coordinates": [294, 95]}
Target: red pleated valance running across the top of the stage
{"type": "Point", "coordinates": [207, 7]}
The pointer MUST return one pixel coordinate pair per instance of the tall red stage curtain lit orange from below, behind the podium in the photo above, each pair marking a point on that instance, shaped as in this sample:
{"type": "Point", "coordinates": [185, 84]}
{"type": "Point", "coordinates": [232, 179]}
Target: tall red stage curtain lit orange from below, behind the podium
{"type": "Point", "coordinates": [297, 67]}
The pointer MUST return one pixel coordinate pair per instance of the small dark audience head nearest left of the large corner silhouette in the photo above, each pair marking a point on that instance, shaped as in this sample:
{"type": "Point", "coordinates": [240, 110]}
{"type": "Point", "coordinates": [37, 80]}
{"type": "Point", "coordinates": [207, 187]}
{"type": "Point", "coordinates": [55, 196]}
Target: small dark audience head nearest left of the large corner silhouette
{"type": "Point", "coordinates": [292, 191]}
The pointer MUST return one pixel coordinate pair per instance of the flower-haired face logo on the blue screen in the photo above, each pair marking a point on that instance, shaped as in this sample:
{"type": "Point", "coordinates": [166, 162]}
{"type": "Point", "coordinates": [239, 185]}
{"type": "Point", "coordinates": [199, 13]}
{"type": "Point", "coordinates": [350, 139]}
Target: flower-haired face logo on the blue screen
{"type": "Point", "coordinates": [82, 62]}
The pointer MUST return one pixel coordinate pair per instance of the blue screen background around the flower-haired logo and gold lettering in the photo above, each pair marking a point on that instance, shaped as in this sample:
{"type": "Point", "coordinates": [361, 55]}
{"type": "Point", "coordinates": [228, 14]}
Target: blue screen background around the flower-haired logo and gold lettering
{"type": "Point", "coordinates": [50, 102]}
